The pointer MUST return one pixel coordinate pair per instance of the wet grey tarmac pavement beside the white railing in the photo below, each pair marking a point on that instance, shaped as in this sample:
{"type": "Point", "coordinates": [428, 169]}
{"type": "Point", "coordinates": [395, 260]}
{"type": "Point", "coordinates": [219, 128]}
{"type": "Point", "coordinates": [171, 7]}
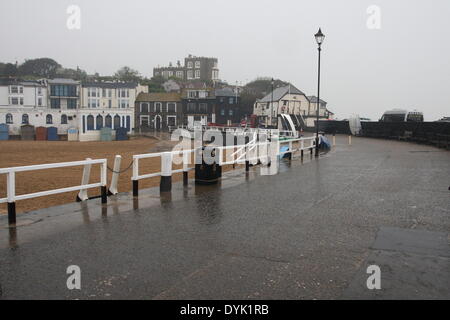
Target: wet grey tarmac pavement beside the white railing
{"type": "Point", "coordinates": [307, 232]}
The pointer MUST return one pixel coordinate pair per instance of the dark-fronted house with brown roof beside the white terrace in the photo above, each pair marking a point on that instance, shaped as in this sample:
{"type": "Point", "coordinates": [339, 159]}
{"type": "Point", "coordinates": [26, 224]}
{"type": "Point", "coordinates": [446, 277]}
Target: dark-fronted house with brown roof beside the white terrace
{"type": "Point", "coordinates": [158, 111]}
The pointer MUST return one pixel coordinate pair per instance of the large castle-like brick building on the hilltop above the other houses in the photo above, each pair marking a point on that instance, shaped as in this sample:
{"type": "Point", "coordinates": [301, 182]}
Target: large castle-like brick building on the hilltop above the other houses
{"type": "Point", "coordinates": [194, 68]}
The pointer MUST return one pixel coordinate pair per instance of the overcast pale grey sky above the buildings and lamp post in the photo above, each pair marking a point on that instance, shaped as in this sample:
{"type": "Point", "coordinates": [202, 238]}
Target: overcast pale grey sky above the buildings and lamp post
{"type": "Point", "coordinates": [404, 64]}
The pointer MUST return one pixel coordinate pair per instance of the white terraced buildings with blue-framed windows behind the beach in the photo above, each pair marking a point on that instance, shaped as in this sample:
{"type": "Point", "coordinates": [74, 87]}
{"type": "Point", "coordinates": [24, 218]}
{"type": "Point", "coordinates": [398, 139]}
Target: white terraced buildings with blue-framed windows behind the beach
{"type": "Point", "coordinates": [66, 103]}
